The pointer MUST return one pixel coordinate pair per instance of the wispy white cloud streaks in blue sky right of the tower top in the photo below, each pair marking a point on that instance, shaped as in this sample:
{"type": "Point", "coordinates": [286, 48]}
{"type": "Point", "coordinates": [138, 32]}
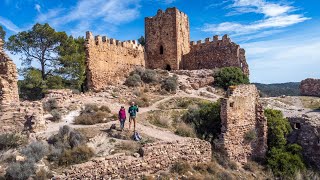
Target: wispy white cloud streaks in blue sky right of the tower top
{"type": "Point", "coordinates": [276, 16]}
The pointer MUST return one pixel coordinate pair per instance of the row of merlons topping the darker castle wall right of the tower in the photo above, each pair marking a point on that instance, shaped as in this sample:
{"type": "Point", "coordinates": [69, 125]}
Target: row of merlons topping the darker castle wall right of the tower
{"type": "Point", "coordinates": [225, 40]}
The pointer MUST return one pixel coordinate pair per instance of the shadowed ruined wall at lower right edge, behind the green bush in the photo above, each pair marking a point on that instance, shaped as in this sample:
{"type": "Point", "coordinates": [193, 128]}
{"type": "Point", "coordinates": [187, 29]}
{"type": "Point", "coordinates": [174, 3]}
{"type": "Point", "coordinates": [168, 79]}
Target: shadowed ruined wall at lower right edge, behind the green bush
{"type": "Point", "coordinates": [306, 133]}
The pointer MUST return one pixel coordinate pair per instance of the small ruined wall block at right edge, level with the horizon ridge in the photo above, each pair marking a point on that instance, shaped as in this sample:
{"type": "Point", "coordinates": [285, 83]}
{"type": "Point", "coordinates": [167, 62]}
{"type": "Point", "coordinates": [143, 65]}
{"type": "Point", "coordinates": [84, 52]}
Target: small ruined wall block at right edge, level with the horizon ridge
{"type": "Point", "coordinates": [310, 87]}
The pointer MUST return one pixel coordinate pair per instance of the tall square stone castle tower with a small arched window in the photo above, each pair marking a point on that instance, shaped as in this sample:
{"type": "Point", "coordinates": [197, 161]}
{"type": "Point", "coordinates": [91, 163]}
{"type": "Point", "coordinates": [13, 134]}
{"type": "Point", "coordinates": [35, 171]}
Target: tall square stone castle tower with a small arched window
{"type": "Point", "coordinates": [167, 39]}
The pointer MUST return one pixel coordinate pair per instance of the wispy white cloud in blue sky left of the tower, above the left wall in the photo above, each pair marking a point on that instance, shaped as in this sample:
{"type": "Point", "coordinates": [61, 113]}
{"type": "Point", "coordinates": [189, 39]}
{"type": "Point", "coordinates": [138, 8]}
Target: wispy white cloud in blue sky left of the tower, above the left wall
{"type": "Point", "coordinates": [89, 15]}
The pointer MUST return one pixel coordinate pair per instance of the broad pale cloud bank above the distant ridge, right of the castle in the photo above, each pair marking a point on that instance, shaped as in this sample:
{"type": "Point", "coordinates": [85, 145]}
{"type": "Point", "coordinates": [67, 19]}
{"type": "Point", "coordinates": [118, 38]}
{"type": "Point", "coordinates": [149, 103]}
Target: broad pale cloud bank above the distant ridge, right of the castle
{"type": "Point", "coordinates": [288, 59]}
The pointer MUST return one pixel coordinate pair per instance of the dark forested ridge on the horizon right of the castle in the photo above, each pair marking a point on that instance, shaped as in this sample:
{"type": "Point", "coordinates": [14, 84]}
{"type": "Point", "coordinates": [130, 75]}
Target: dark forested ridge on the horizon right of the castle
{"type": "Point", "coordinates": [278, 89]}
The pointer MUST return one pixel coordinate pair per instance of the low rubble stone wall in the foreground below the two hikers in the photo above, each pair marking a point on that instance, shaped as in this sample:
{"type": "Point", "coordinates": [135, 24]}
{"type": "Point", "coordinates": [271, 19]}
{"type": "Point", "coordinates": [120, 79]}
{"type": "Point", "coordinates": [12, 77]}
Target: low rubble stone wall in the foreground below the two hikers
{"type": "Point", "coordinates": [156, 156]}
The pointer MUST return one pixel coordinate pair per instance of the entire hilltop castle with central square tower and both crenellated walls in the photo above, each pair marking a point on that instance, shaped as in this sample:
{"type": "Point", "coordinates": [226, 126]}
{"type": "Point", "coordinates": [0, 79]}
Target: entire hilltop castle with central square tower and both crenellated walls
{"type": "Point", "coordinates": [167, 47]}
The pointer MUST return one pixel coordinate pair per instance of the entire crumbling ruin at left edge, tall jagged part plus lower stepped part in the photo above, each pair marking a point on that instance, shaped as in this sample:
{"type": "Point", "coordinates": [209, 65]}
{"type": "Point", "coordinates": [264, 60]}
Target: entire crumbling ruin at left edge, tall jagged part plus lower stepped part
{"type": "Point", "coordinates": [12, 111]}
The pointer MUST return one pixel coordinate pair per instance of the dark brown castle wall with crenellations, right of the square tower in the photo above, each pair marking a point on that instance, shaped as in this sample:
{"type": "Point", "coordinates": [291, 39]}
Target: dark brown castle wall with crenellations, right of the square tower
{"type": "Point", "coordinates": [215, 54]}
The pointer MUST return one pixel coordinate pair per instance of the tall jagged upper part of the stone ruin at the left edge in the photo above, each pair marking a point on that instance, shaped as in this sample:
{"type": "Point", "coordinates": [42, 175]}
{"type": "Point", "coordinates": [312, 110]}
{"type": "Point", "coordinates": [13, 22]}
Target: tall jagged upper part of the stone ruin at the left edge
{"type": "Point", "coordinates": [8, 79]}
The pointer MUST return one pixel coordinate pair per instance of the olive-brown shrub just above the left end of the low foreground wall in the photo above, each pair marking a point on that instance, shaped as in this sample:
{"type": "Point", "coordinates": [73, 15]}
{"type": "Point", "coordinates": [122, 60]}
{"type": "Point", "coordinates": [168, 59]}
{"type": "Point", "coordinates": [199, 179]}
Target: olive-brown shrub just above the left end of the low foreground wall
{"type": "Point", "coordinates": [76, 155]}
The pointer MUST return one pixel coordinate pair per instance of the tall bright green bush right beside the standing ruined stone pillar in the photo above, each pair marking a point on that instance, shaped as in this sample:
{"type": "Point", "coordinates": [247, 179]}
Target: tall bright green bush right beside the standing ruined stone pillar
{"type": "Point", "coordinates": [284, 159]}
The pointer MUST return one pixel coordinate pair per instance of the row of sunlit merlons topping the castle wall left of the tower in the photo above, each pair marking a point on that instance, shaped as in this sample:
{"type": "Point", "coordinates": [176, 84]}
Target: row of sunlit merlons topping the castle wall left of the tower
{"type": "Point", "coordinates": [104, 40]}
